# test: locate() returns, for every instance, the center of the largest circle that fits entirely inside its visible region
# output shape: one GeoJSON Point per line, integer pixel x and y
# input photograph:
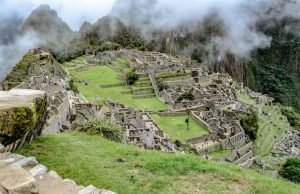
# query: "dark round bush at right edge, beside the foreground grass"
{"type": "Point", "coordinates": [291, 170]}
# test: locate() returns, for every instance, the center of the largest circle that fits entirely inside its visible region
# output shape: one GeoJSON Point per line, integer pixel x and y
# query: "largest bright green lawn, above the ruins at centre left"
{"type": "Point", "coordinates": [97, 75]}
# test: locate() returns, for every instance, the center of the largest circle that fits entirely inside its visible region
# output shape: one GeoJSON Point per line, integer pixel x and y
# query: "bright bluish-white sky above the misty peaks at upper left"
{"type": "Point", "coordinates": [74, 12]}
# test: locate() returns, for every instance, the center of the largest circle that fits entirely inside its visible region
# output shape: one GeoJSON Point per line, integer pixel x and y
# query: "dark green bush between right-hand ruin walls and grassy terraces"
{"type": "Point", "coordinates": [249, 123]}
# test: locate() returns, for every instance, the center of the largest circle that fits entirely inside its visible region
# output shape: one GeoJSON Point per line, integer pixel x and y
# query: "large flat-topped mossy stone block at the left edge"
{"type": "Point", "coordinates": [22, 114]}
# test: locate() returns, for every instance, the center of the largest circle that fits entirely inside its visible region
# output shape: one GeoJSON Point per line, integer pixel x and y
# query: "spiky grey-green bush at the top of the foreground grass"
{"type": "Point", "coordinates": [104, 128]}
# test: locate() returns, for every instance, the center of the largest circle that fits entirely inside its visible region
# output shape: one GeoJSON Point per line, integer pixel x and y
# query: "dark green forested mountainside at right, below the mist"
{"type": "Point", "coordinates": [274, 70]}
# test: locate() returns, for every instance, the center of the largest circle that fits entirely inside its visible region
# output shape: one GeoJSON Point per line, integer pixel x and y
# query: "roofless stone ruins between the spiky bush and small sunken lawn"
{"type": "Point", "coordinates": [139, 128]}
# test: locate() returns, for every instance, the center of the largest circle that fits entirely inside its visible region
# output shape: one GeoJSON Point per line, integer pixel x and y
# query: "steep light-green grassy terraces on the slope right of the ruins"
{"type": "Point", "coordinates": [271, 125]}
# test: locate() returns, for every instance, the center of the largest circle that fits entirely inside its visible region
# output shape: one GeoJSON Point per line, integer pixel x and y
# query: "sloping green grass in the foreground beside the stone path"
{"type": "Point", "coordinates": [93, 160]}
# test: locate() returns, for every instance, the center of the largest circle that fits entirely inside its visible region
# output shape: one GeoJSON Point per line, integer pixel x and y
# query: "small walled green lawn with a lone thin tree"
{"type": "Point", "coordinates": [176, 128]}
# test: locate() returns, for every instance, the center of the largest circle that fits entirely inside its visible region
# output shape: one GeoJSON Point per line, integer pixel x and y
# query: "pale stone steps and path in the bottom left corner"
{"type": "Point", "coordinates": [23, 175]}
